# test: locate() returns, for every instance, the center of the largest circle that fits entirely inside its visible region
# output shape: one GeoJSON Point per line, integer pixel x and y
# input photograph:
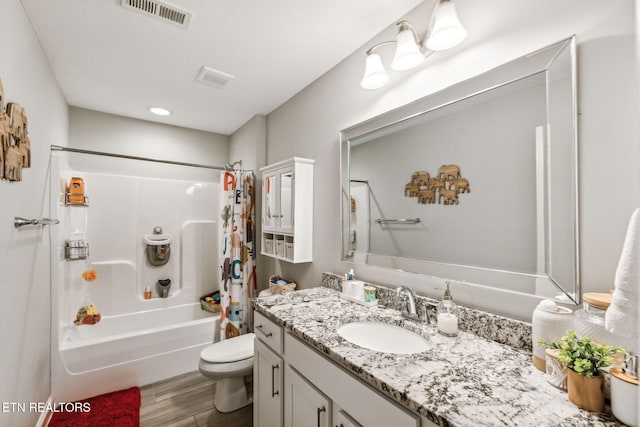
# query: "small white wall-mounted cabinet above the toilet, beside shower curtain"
{"type": "Point", "coordinates": [287, 210]}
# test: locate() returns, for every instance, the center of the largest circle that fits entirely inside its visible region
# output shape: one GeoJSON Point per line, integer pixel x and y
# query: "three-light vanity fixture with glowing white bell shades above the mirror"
{"type": "Point", "coordinates": [445, 31]}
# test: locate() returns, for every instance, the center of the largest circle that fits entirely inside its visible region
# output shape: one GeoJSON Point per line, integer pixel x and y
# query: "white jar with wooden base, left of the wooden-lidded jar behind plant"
{"type": "Point", "coordinates": [550, 322]}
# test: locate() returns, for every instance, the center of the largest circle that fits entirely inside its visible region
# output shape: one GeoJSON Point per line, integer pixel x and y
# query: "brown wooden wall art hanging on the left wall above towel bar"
{"type": "Point", "coordinates": [15, 147]}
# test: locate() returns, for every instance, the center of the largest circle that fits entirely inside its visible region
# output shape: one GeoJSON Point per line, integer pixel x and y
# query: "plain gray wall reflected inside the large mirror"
{"type": "Point", "coordinates": [500, 210]}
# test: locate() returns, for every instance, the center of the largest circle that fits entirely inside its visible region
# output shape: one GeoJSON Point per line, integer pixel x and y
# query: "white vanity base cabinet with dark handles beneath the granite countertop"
{"type": "Point", "coordinates": [294, 385]}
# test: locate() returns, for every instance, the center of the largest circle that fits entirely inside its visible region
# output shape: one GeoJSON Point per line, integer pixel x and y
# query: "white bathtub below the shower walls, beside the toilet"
{"type": "Point", "coordinates": [130, 350]}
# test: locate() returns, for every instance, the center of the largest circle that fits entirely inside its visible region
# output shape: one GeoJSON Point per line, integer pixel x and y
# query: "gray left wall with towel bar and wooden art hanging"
{"type": "Point", "coordinates": [24, 253]}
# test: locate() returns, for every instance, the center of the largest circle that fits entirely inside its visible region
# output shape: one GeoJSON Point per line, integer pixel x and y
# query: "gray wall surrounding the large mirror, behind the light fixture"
{"type": "Point", "coordinates": [308, 125]}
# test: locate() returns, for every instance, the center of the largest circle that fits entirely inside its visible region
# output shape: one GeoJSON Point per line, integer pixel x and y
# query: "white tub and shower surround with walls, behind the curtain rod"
{"type": "Point", "coordinates": [138, 340]}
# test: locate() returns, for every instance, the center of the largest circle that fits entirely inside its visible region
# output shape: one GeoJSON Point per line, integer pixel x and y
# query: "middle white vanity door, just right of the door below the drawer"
{"type": "Point", "coordinates": [304, 405]}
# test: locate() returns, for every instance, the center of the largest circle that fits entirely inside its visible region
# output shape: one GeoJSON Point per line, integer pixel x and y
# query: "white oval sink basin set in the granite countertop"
{"type": "Point", "coordinates": [383, 337]}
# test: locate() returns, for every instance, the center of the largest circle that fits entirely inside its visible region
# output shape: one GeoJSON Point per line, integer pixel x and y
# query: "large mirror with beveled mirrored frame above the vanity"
{"type": "Point", "coordinates": [476, 183]}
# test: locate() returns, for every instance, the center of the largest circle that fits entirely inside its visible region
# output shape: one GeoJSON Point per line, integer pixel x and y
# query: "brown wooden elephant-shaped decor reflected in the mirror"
{"type": "Point", "coordinates": [445, 186]}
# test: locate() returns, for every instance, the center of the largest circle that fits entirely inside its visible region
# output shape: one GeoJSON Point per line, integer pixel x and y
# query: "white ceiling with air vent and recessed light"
{"type": "Point", "coordinates": [115, 60]}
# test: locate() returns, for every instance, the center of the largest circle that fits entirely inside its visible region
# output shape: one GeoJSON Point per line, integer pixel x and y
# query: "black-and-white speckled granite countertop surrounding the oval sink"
{"type": "Point", "coordinates": [461, 381]}
